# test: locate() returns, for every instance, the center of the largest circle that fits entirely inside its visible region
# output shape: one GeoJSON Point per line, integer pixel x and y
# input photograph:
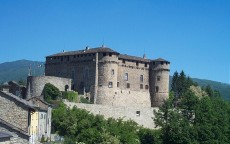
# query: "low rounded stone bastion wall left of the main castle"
{"type": "Point", "coordinates": [35, 84]}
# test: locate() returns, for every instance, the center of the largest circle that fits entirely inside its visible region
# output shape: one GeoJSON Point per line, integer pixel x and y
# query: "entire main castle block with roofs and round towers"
{"type": "Point", "coordinates": [111, 78]}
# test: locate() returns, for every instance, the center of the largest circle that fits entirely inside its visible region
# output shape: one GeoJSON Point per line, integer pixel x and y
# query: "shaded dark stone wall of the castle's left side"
{"type": "Point", "coordinates": [81, 69]}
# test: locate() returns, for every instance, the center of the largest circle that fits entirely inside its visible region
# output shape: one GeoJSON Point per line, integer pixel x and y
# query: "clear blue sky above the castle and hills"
{"type": "Point", "coordinates": [194, 35]}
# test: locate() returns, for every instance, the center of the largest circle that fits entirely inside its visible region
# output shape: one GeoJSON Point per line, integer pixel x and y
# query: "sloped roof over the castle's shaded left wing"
{"type": "Point", "coordinates": [85, 51]}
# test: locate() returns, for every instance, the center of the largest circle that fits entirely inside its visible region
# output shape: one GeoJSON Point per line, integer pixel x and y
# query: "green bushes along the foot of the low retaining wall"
{"type": "Point", "coordinates": [79, 125]}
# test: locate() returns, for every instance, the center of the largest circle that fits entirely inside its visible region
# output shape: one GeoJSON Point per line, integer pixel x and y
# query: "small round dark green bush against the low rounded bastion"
{"type": "Point", "coordinates": [51, 92]}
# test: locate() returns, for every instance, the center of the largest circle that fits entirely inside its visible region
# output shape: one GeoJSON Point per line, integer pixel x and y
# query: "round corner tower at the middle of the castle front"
{"type": "Point", "coordinates": [107, 77]}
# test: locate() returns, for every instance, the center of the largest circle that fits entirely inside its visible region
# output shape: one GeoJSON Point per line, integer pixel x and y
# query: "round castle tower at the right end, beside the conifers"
{"type": "Point", "coordinates": [159, 81]}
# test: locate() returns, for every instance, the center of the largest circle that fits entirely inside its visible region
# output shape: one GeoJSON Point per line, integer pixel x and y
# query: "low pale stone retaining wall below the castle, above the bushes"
{"type": "Point", "coordinates": [143, 116]}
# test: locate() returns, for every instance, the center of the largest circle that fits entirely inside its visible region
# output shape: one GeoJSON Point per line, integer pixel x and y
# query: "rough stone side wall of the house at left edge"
{"type": "Point", "coordinates": [13, 112]}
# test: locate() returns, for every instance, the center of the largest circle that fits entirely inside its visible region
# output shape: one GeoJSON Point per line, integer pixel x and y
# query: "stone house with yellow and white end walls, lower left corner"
{"type": "Point", "coordinates": [24, 120]}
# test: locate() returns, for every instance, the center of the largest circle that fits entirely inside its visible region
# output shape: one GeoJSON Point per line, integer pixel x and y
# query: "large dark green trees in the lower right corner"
{"type": "Point", "coordinates": [205, 120]}
